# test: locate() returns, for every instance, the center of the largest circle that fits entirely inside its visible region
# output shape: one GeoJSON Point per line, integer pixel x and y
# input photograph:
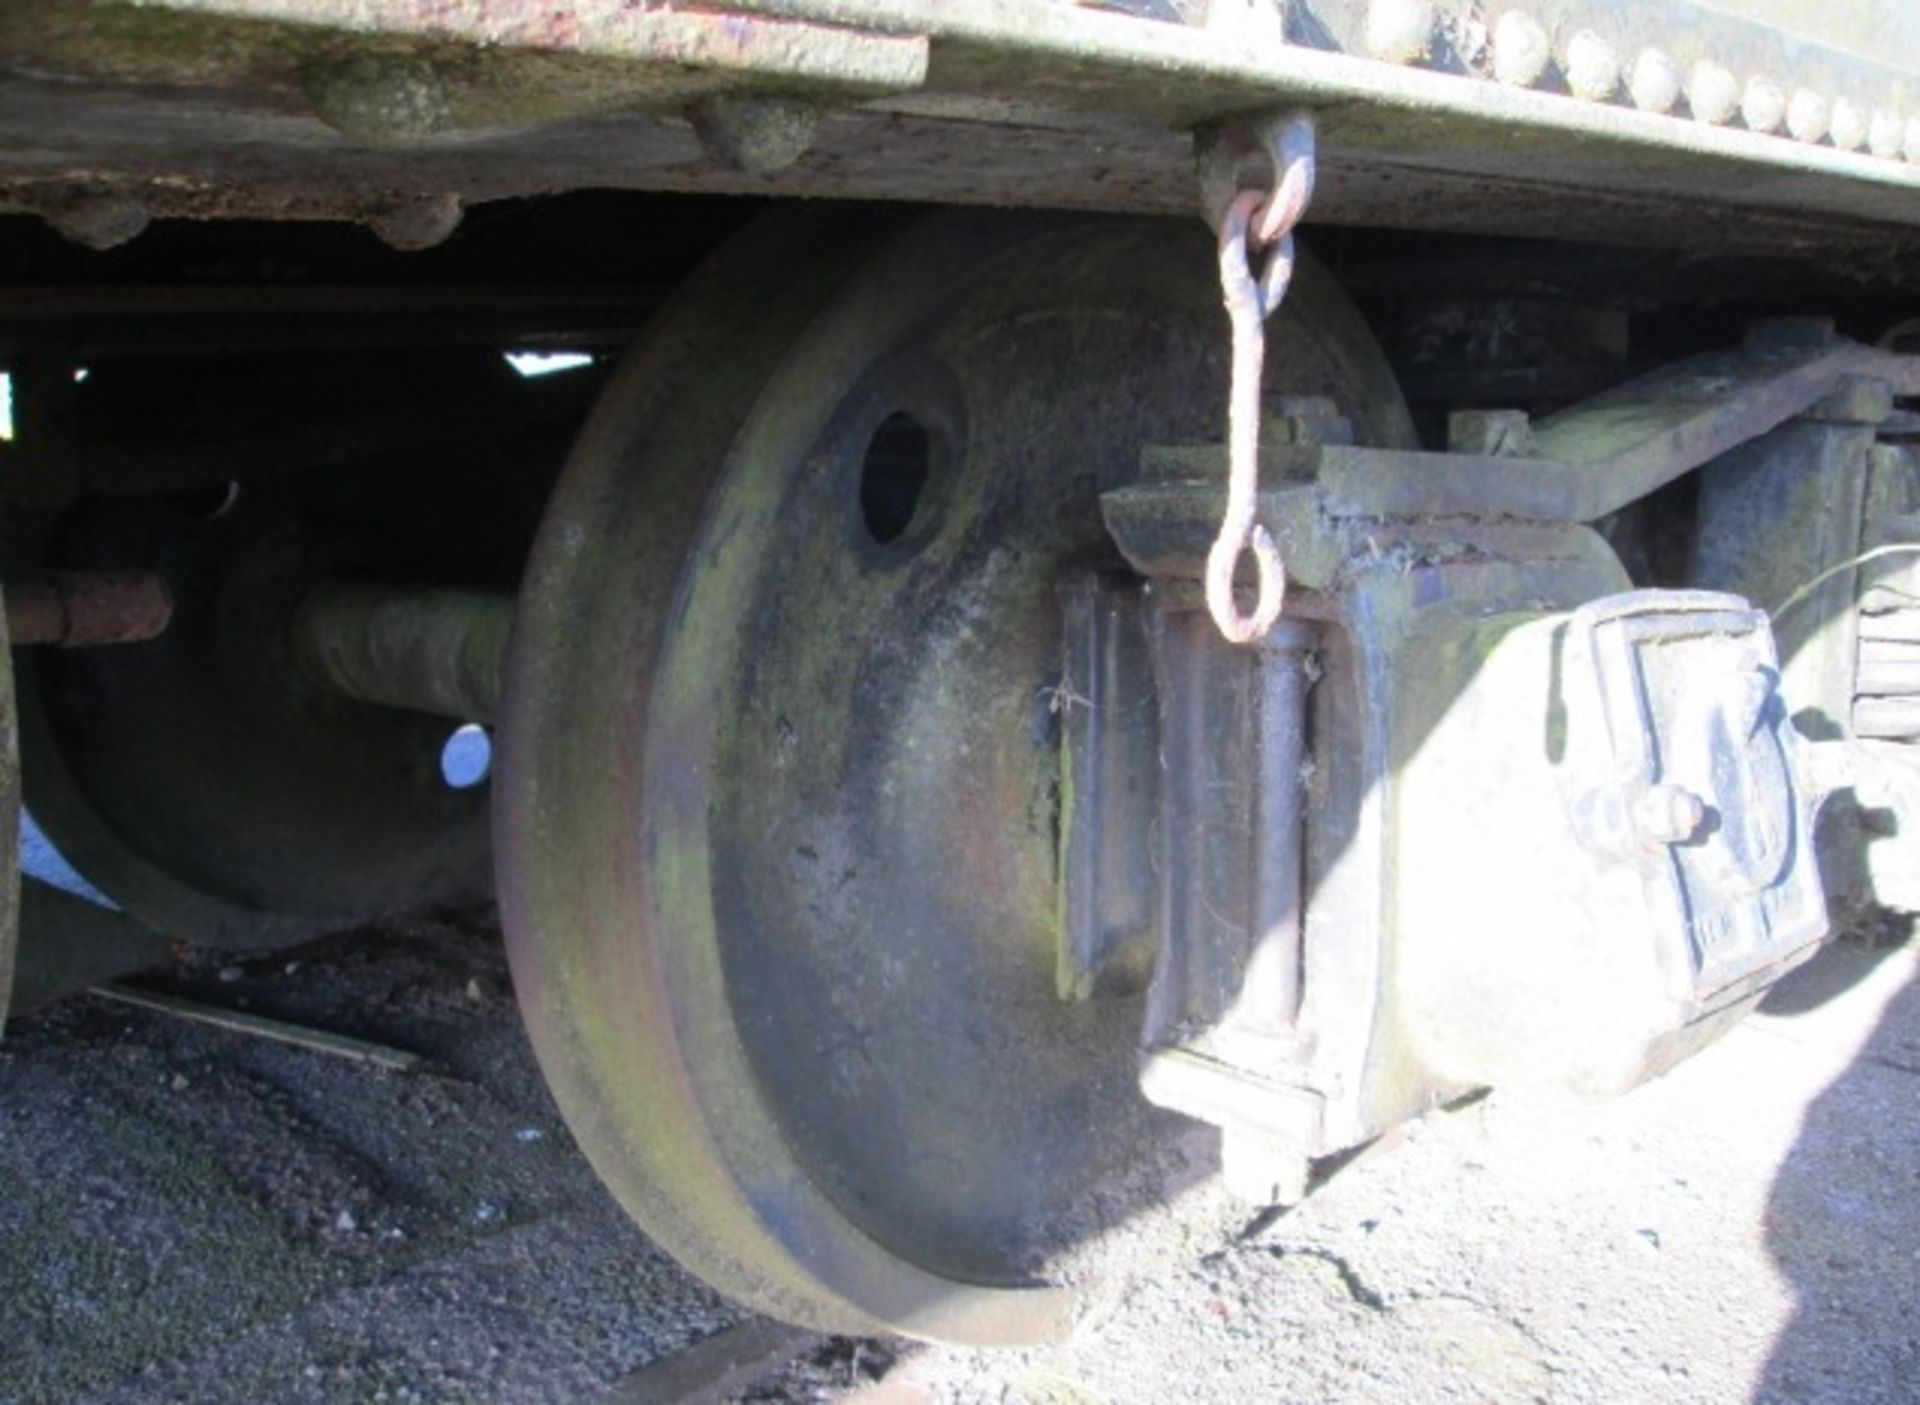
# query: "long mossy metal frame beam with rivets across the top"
{"type": "Point", "coordinates": [272, 107]}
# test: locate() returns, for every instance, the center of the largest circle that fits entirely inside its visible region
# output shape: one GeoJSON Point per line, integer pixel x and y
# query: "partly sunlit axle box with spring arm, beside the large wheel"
{"type": "Point", "coordinates": [1443, 588]}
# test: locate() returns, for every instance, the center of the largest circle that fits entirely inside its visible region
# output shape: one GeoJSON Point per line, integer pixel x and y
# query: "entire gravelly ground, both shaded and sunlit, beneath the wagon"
{"type": "Point", "coordinates": [197, 1216]}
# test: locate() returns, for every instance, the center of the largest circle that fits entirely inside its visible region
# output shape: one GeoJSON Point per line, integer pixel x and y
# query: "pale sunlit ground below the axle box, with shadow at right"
{"type": "Point", "coordinates": [1746, 1229]}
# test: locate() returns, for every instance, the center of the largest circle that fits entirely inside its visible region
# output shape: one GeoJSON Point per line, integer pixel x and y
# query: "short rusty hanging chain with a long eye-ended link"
{"type": "Point", "coordinates": [1255, 222]}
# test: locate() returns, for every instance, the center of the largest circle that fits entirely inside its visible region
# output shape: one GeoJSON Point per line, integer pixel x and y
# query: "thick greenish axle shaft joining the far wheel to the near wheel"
{"type": "Point", "coordinates": [406, 648]}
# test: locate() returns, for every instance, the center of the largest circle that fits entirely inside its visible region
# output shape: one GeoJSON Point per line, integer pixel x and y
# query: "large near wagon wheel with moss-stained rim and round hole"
{"type": "Point", "coordinates": [780, 776]}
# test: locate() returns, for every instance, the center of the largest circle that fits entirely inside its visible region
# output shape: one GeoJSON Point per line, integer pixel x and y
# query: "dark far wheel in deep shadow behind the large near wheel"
{"type": "Point", "coordinates": [201, 778]}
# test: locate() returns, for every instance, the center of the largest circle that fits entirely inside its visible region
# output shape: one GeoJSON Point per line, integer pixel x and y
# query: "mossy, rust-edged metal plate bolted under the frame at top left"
{"type": "Point", "coordinates": [404, 74]}
